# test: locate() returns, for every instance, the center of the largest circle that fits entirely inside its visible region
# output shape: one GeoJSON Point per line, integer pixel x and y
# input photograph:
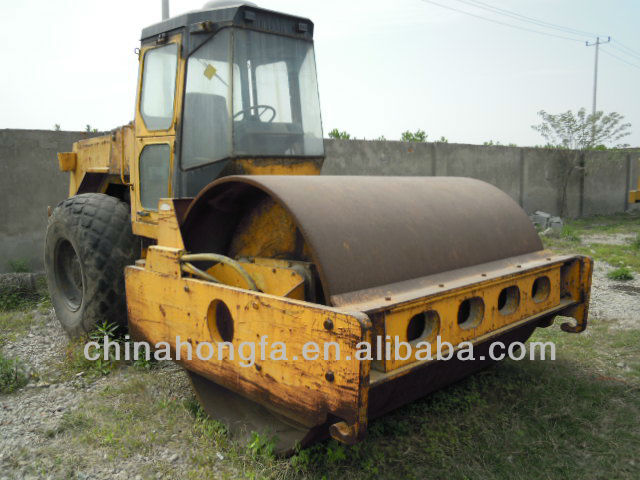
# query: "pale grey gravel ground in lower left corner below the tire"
{"type": "Point", "coordinates": [30, 418]}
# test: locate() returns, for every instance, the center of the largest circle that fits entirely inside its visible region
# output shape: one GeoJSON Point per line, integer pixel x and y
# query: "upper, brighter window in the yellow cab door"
{"type": "Point", "coordinates": [159, 86]}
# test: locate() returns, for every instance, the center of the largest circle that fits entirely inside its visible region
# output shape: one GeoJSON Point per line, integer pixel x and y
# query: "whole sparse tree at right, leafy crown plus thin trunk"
{"type": "Point", "coordinates": [572, 134]}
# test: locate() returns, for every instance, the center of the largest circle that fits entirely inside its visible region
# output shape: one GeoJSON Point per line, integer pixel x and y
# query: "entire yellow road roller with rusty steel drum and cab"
{"type": "Point", "coordinates": [206, 225]}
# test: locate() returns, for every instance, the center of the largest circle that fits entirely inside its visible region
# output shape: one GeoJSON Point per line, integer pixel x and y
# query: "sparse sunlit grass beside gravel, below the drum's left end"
{"type": "Point", "coordinates": [139, 415]}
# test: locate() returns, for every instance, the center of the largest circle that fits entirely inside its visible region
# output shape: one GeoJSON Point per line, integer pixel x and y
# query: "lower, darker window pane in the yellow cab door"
{"type": "Point", "coordinates": [154, 174]}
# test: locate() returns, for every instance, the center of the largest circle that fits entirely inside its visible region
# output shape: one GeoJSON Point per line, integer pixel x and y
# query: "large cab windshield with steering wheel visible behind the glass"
{"type": "Point", "coordinates": [250, 94]}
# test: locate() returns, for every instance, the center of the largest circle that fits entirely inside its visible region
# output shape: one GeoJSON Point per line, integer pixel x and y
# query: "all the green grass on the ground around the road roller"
{"type": "Point", "coordinates": [575, 417]}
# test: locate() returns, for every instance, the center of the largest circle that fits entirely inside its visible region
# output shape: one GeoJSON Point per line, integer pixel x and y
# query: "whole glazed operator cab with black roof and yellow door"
{"type": "Point", "coordinates": [227, 84]}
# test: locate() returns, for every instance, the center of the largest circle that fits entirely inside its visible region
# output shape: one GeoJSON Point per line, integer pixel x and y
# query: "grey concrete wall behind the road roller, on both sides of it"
{"type": "Point", "coordinates": [30, 179]}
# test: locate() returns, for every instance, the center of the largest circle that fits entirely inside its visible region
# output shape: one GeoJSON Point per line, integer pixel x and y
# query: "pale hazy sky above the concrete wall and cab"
{"type": "Point", "coordinates": [383, 66]}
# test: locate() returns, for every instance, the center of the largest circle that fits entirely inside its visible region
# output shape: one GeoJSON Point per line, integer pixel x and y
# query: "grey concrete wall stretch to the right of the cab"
{"type": "Point", "coordinates": [533, 177]}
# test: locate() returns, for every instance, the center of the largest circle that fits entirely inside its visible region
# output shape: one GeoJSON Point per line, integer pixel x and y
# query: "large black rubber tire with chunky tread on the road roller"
{"type": "Point", "coordinates": [89, 242]}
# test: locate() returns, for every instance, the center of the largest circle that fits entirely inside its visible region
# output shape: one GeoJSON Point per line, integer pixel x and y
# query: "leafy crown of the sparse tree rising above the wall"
{"type": "Point", "coordinates": [579, 131]}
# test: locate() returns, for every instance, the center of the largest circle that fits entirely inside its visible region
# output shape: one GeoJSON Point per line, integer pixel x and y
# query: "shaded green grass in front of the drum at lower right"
{"type": "Point", "coordinates": [572, 418]}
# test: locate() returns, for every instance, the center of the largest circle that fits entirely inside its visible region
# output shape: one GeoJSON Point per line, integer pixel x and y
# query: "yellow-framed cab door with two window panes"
{"type": "Point", "coordinates": [157, 108]}
